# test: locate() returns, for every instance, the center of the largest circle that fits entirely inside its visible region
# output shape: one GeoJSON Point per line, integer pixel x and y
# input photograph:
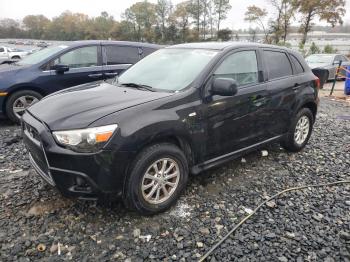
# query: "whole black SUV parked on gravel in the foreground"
{"type": "Point", "coordinates": [182, 109]}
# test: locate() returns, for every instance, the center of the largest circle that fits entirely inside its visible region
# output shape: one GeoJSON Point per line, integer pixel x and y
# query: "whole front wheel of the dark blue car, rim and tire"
{"type": "Point", "coordinates": [18, 102]}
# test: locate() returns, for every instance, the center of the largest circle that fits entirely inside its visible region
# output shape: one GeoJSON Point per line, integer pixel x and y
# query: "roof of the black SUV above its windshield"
{"type": "Point", "coordinates": [222, 45]}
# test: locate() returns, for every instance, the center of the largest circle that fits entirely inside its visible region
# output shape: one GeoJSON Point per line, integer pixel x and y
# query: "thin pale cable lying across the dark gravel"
{"type": "Point", "coordinates": [259, 206]}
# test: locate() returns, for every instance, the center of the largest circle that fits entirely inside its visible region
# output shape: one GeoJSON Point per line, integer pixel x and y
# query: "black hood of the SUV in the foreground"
{"type": "Point", "coordinates": [77, 107]}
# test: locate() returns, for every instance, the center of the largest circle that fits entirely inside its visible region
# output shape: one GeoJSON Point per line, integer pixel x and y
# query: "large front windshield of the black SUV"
{"type": "Point", "coordinates": [168, 69]}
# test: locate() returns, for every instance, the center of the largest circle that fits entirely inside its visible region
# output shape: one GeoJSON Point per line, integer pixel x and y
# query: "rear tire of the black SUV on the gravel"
{"type": "Point", "coordinates": [290, 142]}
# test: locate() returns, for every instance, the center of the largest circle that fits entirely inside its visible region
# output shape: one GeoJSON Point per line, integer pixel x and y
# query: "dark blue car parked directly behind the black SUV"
{"type": "Point", "coordinates": [61, 66]}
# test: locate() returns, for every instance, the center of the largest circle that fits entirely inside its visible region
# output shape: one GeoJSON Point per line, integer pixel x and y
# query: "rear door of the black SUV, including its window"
{"type": "Point", "coordinates": [283, 84]}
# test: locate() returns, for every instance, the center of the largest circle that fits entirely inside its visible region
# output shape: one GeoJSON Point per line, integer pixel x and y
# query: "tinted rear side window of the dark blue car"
{"type": "Point", "coordinates": [121, 55]}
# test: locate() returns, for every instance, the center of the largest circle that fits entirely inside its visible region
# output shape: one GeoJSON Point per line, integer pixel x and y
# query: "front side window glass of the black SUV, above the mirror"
{"type": "Point", "coordinates": [241, 66]}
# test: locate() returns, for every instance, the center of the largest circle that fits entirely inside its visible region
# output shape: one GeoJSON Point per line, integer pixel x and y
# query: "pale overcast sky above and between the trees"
{"type": "Point", "coordinates": [49, 8]}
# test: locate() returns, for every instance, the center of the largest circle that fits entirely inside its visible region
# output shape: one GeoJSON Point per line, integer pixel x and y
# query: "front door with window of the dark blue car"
{"type": "Point", "coordinates": [85, 65]}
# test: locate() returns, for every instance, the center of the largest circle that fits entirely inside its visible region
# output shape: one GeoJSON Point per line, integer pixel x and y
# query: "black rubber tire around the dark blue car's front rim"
{"type": "Point", "coordinates": [11, 114]}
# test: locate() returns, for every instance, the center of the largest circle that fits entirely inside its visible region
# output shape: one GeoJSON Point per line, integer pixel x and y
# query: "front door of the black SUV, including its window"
{"type": "Point", "coordinates": [237, 121]}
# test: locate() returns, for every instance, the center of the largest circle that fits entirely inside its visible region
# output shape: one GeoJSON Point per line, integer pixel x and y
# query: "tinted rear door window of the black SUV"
{"type": "Point", "coordinates": [278, 64]}
